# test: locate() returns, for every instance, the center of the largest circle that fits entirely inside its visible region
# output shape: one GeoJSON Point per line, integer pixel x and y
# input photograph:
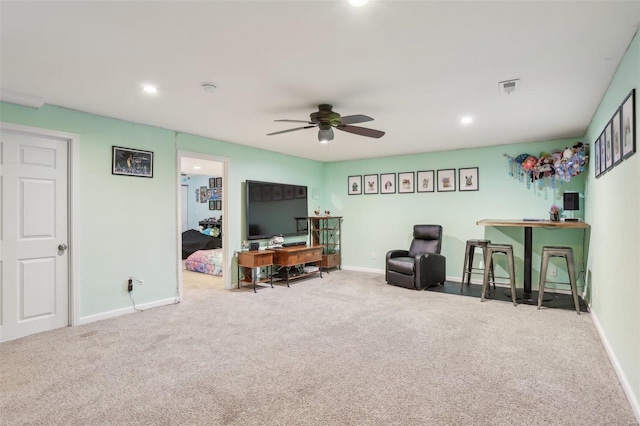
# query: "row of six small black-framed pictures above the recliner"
{"type": "Point", "coordinates": [443, 180]}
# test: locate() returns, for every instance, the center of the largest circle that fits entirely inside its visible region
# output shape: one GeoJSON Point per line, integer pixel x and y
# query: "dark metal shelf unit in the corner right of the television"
{"type": "Point", "coordinates": [325, 231]}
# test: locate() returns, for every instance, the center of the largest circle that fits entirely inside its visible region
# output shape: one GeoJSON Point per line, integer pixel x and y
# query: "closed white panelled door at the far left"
{"type": "Point", "coordinates": [34, 259]}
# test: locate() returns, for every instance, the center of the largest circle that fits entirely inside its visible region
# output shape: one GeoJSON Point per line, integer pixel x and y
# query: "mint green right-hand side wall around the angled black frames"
{"type": "Point", "coordinates": [613, 203]}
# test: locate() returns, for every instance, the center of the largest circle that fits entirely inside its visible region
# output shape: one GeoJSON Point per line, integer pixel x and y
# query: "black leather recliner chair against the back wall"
{"type": "Point", "coordinates": [422, 265]}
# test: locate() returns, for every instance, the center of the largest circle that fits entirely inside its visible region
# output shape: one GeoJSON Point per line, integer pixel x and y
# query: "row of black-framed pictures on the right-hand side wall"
{"type": "Point", "coordinates": [618, 138]}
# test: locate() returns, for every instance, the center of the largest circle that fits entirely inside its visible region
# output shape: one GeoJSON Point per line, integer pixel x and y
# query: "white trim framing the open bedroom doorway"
{"type": "Point", "coordinates": [227, 254]}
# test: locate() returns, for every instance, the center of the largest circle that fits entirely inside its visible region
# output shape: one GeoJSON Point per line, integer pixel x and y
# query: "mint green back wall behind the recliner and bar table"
{"type": "Point", "coordinates": [382, 222]}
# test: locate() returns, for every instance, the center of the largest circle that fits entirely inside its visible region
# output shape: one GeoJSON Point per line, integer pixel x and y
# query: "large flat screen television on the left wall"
{"type": "Point", "coordinates": [275, 209]}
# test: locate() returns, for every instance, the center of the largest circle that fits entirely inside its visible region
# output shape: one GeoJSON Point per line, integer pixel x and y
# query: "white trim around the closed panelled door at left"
{"type": "Point", "coordinates": [73, 211]}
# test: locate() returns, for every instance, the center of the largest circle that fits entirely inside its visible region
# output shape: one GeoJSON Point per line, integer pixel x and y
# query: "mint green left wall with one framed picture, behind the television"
{"type": "Point", "coordinates": [128, 226]}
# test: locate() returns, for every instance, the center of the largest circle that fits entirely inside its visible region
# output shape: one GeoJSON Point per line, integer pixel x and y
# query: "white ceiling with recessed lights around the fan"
{"type": "Point", "coordinates": [416, 67]}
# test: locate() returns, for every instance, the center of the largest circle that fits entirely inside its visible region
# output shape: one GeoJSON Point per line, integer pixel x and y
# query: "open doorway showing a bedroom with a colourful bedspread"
{"type": "Point", "coordinates": [203, 259]}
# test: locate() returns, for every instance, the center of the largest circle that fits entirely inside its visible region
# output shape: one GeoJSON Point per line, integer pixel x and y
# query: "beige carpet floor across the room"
{"type": "Point", "coordinates": [346, 349]}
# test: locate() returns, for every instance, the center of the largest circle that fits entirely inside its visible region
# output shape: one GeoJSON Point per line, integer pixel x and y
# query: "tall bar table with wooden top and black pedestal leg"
{"type": "Point", "coordinates": [528, 226]}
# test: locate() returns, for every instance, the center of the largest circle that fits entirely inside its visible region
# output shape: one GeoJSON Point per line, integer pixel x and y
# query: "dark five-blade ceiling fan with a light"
{"type": "Point", "coordinates": [326, 120]}
